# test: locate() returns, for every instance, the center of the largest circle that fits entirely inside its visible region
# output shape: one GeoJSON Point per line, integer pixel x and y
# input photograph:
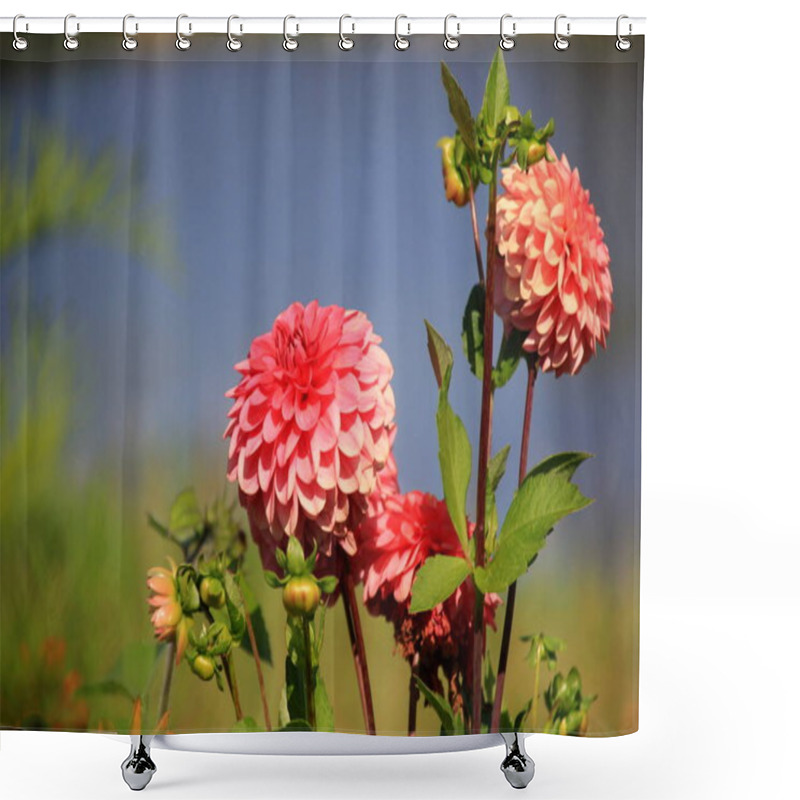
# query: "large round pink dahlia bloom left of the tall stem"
{"type": "Point", "coordinates": [310, 426]}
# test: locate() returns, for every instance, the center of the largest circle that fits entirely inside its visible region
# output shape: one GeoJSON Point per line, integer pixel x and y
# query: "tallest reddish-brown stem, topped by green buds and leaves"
{"type": "Point", "coordinates": [484, 451]}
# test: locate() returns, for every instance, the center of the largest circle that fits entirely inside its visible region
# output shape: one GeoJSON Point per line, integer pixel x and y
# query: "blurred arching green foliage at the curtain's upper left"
{"type": "Point", "coordinates": [51, 185]}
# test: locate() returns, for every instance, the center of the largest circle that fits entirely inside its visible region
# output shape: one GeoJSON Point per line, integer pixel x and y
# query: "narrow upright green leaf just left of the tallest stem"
{"type": "Point", "coordinates": [455, 463]}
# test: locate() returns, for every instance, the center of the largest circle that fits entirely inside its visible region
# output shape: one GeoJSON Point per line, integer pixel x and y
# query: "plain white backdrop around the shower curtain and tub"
{"type": "Point", "coordinates": [720, 601]}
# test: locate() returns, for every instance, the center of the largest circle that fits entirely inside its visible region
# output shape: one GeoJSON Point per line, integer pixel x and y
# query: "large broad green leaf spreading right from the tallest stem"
{"type": "Point", "coordinates": [545, 496]}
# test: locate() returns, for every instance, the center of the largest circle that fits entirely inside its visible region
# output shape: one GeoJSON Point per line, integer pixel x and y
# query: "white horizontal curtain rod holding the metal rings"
{"type": "Point", "coordinates": [296, 26]}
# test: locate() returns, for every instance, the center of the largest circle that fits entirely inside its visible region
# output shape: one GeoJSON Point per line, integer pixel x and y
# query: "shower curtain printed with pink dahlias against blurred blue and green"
{"type": "Point", "coordinates": [320, 386]}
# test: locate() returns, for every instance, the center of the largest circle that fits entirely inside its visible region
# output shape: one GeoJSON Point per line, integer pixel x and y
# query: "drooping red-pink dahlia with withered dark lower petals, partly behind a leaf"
{"type": "Point", "coordinates": [392, 546]}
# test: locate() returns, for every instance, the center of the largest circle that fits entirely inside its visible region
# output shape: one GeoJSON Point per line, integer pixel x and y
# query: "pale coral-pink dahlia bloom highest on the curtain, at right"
{"type": "Point", "coordinates": [553, 280]}
